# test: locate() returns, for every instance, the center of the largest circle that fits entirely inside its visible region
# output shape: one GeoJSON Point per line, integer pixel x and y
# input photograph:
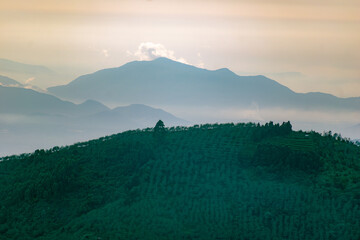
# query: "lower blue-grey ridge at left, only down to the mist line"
{"type": "Point", "coordinates": [14, 100]}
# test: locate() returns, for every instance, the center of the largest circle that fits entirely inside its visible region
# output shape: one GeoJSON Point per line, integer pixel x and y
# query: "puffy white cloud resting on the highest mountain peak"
{"type": "Point", "coordinates": [149, 51]}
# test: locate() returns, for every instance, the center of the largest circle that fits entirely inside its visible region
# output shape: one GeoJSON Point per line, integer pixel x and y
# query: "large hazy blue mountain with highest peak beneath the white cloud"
{"type": "Point", "coordinates": [166, 82]}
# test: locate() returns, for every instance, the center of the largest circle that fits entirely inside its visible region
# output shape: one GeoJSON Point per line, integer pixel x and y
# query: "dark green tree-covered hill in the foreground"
{"type": "Point", "coordinates": [242, 181]}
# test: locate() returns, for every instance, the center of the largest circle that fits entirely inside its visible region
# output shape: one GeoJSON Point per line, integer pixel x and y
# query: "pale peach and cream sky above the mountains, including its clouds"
{"type": "Point", "coordinates": [306, 45]}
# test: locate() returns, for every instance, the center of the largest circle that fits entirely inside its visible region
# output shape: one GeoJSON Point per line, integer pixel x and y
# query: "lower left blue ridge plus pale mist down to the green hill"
{"type": "Point", "coordinates": [30, 120]}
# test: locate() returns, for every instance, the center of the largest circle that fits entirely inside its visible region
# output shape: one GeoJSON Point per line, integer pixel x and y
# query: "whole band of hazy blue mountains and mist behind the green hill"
{"type": "Point", "coordinates": [32, 119]}
